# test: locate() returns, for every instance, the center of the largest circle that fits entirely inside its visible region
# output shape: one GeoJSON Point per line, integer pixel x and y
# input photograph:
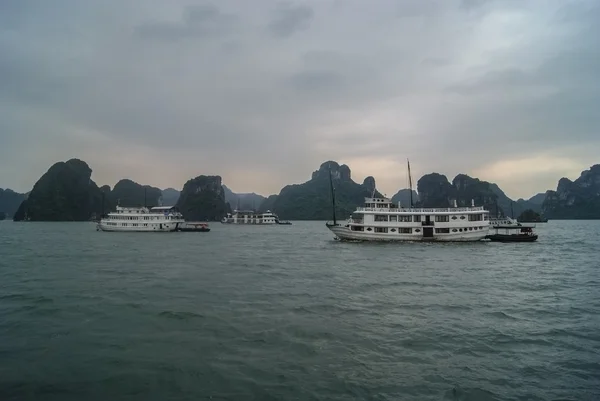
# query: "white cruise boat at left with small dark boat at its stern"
{"type": "Point", "coordinates": [142, 219]}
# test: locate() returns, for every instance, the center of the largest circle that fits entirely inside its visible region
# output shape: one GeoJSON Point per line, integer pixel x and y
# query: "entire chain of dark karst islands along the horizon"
{"type": "Point", "coordinates": [66, 192]}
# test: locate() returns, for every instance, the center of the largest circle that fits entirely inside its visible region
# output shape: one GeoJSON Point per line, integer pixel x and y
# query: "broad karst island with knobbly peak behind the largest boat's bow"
{"type": "Point", "coordinates": [312, 199]}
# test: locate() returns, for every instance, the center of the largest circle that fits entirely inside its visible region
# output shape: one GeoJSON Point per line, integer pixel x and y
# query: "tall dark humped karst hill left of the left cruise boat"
{"type": "Point", "coordinates": [64, 193]}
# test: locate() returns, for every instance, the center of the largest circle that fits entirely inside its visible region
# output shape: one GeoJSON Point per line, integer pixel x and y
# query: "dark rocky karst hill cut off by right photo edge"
{"type": "Point", "coordinates": [579, 199]}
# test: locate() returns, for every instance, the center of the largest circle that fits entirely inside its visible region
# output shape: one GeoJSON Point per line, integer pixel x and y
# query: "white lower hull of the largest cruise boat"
{"type": "Point", "coordinates": [345, 234]}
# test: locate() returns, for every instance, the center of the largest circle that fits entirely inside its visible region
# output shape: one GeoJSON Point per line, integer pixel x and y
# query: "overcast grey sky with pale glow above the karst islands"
{"type": "Point", "coordinates": [262, 92]}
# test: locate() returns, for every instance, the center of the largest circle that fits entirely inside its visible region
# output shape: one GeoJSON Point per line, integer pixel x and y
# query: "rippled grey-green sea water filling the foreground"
{"type": "Point", "coordinates": [286, 313]}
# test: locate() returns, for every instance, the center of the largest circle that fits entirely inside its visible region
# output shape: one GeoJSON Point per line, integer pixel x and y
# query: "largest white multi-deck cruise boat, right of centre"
{"type": "Point", "coordinates": [381, 220]}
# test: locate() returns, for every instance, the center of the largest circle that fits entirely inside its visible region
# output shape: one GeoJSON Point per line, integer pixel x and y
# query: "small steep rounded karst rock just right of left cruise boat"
{"type": "Point", "coordinates": [203, 199]}
